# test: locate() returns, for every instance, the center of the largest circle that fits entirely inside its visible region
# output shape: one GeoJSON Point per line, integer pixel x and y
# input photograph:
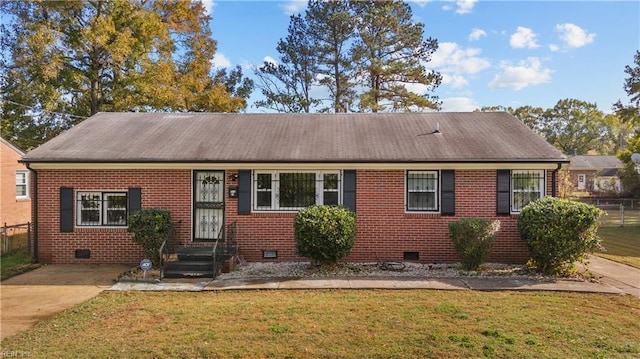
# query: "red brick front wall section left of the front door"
{"type": "Point", "coordinates": [160, 189]}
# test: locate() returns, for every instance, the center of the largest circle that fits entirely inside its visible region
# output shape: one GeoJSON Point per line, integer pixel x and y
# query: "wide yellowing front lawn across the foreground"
{"type": "Point", "coordinates": [339, 324]}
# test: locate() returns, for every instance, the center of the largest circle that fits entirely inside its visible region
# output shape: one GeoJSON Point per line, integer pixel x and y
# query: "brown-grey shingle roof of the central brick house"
{"type": "Point", "coordinates": [388, 137]}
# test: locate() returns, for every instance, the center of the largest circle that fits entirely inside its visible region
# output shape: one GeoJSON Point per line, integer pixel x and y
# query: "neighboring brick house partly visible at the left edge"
{"type": "Point", "coordinates": [15, 201]}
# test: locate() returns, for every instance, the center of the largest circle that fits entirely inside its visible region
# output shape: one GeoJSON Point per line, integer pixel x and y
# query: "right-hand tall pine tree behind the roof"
{"type": "Point", "coordinates": [390, 56]}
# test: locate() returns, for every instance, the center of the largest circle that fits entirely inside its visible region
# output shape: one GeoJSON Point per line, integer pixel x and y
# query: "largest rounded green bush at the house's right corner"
{"type": "Point", "coordinates": [559, 232]}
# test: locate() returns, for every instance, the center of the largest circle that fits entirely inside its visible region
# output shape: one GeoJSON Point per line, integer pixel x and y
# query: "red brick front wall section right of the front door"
{"type": "Point", "coordinates": [384, 229]}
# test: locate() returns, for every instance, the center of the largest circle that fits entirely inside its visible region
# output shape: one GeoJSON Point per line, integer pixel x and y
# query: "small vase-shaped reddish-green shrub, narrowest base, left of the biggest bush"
{"type": "Point", "coordinates": [472, 239]}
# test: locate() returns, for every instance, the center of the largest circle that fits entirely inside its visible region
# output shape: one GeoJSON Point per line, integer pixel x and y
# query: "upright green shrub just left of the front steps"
{"type": "Point", "coordinates": [150, 227]}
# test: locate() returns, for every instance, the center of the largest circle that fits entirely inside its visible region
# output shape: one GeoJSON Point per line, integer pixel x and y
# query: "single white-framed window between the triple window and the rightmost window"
{"type": "Point", "coordinates": [422, 191]}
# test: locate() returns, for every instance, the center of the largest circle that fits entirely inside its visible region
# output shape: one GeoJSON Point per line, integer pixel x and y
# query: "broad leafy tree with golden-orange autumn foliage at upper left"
{"type": "Point", "coordinates": [63, 61]}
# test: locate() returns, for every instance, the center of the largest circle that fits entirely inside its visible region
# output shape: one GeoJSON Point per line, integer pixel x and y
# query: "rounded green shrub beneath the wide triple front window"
{"type": "Point", "coordinates": [324, 234]}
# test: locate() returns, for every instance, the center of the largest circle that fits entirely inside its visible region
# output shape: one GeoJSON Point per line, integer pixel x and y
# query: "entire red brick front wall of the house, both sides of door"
{"type": "Point", "coordinates": [384, 229]}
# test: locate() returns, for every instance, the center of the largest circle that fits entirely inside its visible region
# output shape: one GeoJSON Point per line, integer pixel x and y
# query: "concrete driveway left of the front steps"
{"type": "Point", "coordinates": [31, 297]}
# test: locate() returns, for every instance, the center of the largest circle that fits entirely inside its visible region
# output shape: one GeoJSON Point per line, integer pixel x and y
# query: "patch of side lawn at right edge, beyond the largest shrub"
{"type": "Point", "coordinates": [622, 244]}
